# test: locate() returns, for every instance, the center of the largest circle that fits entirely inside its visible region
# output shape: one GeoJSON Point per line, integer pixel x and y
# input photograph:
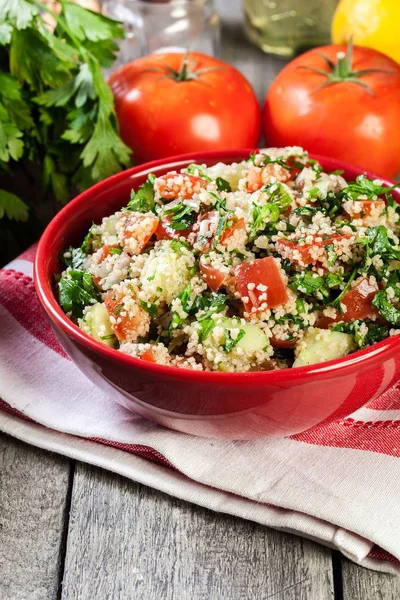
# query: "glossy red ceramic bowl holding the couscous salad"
{"type": "Point", "coordinates": [222, 405]}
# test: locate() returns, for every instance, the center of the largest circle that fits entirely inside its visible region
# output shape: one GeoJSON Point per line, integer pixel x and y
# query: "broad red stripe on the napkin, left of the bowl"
{"type": "Point", "coordinates": [17, 295]}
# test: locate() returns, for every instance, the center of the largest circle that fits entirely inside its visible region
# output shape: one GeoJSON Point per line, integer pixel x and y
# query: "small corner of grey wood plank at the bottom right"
{"type": "Point", "coordinates": [363, 584]}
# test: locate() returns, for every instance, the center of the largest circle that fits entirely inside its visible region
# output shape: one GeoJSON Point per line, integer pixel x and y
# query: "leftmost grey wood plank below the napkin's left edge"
{"type": "Point", "coordinates": [33, 494]}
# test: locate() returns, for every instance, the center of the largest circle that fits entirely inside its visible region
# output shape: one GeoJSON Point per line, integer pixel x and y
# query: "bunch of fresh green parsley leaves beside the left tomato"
{"type": "Point", "coordinates": [57, 113]}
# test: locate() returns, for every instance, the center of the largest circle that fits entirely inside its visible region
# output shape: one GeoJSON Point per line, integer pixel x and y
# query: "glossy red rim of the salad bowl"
{"type": "Point", "coordinates": [367, 357]}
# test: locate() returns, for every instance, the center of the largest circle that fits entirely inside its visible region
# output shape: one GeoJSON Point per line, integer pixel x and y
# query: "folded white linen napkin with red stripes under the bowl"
{"type": "Point", "coordinates": [338, 484]}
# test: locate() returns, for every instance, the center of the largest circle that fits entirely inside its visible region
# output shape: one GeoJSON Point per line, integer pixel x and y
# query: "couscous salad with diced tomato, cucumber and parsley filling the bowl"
{"type": "Point", "coordinates": [265, 264]}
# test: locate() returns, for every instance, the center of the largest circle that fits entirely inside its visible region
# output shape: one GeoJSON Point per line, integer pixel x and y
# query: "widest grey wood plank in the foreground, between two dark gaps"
{"type": "Point", "coordinates": [128, 541]}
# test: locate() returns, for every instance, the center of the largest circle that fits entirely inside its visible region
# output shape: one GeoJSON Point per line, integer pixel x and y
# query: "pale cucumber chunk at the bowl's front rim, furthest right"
{"type": "Point", "coordinates": [322, 345]}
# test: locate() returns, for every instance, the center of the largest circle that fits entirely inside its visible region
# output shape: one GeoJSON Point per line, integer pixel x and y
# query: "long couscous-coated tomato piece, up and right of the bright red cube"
{"type": "Point", "coordinates": [309, 253]}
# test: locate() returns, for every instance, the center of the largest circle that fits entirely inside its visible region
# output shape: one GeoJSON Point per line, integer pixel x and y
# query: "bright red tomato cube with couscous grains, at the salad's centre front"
{"type": "Point", "coordinates": [262, 273]}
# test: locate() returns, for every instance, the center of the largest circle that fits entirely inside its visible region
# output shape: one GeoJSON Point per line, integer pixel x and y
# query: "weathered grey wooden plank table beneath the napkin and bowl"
{"type": "Point", "coordinates": [72, 531]}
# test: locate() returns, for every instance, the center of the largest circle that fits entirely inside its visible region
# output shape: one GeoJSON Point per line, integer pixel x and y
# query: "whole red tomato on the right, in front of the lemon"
{"type": "Point", "coordinates": [300, 110]}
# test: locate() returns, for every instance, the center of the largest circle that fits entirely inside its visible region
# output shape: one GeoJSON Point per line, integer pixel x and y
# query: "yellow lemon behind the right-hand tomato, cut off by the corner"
{"type": "Point", "coordinates": [372, 23]}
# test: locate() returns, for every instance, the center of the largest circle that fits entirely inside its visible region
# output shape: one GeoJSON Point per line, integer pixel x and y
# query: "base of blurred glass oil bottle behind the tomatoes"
{"type": "Point", "coordinates": [288, 27]}
